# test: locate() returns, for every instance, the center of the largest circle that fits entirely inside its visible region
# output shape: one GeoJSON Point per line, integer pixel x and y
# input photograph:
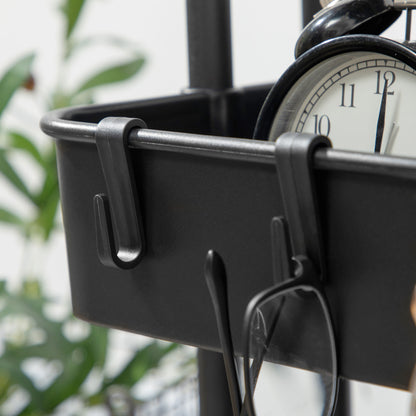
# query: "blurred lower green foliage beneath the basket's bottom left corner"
{"type": "Point", "coordinates": [32, 339]}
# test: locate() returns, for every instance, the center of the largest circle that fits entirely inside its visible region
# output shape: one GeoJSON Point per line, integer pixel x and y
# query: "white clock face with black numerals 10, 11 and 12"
{"type": "Point", "coordinates": [362, 101]}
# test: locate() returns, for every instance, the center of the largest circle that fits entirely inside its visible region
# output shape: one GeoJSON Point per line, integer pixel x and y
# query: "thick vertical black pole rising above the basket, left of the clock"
{"type": "Point", "coordinates": [209, 44]}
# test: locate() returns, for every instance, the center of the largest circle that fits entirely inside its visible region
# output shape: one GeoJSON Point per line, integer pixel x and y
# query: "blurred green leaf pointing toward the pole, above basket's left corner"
{"type": "Point", "coordinates": [113, 74]}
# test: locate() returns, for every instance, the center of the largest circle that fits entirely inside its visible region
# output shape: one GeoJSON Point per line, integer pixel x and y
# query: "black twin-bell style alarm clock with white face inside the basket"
{"type": "Point", "coordinates": [357, 89]}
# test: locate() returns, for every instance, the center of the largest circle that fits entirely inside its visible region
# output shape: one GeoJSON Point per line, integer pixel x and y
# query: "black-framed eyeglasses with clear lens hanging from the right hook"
{"type": "Point", "coordinates": [288, 336]}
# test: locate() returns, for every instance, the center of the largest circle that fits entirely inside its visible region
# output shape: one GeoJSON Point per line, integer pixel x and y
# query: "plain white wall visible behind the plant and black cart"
{"type": "Point", "coordinates": [264, 34]}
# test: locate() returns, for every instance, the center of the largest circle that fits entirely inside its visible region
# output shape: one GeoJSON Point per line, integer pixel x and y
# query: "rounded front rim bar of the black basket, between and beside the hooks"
{"type": "Point", "coordinates": [231, 148]}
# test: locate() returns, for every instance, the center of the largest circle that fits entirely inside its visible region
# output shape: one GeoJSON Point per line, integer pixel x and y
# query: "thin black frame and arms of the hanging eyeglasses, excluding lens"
{"type": "Point", "coordinates": [305, 278]}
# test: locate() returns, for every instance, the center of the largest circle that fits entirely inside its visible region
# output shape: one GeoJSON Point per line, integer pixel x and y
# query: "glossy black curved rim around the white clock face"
{"type": "Point", "coordinates": [321, 52]}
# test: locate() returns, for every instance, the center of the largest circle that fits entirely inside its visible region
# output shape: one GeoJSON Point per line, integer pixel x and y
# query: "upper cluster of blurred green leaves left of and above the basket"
{"type": "Point", "coordinates": [45, 199]}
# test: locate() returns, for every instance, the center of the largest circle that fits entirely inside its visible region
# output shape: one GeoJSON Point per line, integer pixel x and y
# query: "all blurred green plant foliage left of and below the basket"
{"type": "Point", "coordinates": [31, 337]}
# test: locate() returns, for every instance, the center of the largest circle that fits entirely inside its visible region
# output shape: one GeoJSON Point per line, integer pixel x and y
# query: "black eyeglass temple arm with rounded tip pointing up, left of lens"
{"type": "Point", "coordinates": [215, 276]}
